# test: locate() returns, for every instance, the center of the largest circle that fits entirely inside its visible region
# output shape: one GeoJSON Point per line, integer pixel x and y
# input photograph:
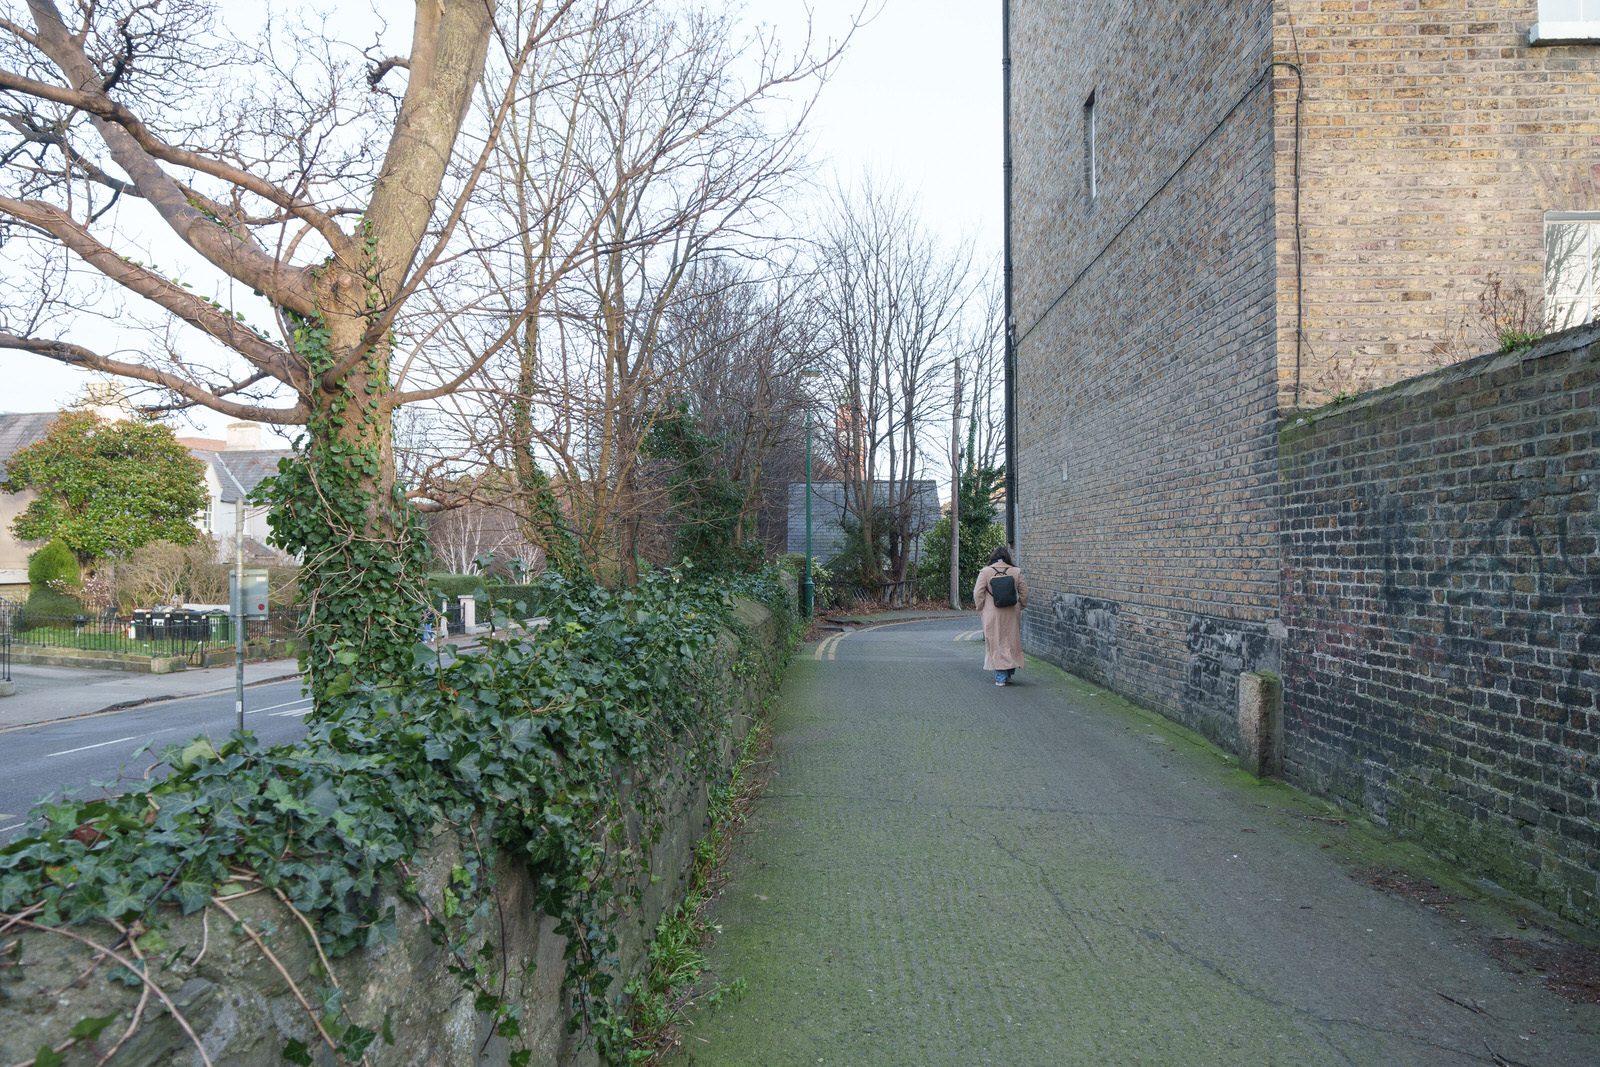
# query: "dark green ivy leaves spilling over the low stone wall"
{"type": "Point", "coordinates": [519, 748]}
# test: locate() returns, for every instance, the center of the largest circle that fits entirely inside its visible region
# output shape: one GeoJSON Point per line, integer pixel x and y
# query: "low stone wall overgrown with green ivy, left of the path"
{"type": "Point", "coordinates": [564, 801]}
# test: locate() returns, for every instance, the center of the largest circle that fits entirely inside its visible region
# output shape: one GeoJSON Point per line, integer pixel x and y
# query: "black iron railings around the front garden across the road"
{"type": "Point", "coordinates": [154, 633]}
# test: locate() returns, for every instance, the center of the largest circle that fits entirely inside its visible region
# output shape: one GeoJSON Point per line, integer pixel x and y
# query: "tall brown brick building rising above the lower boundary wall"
{"type": "Point", "coordinates": [1169, 310]}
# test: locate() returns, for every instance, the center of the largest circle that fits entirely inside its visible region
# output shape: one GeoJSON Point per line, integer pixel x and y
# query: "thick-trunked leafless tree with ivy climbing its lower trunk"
{"type": "Point", "coordinates": [337, 290]}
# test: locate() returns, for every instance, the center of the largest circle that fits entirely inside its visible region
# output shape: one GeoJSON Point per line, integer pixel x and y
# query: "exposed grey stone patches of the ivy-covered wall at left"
{"type": "Point", "coordinates": [244, 1010]}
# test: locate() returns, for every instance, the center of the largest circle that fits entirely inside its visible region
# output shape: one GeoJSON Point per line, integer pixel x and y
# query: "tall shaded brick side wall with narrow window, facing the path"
{"type": "Point", "coordinates": [1146, 330]}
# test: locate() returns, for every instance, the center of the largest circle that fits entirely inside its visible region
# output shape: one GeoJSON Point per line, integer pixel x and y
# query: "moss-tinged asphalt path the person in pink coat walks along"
{"type": "Point", "coordinates": [943, 871]}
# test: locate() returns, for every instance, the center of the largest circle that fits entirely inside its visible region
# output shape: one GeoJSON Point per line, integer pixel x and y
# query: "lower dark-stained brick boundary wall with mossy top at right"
{"type": "Point", "coordinates": [1442, 601]}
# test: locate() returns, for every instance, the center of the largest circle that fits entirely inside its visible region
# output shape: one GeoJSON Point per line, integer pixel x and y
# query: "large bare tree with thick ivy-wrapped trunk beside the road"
{"type": "Point", "coordinates": [298, 186]}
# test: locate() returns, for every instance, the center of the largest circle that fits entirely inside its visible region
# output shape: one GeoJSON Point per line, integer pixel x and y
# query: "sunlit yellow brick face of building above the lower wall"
{"type": "Point", "coordinates": [1434, 140]}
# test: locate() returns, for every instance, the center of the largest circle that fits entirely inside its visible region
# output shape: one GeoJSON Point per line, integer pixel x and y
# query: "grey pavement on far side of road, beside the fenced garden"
{"type": "Point", "coordinates": [46, 695]}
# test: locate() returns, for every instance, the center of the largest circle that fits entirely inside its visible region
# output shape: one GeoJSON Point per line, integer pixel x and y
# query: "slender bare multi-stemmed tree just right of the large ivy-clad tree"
{"type": "Point", "coordinates": [654, 153]}
